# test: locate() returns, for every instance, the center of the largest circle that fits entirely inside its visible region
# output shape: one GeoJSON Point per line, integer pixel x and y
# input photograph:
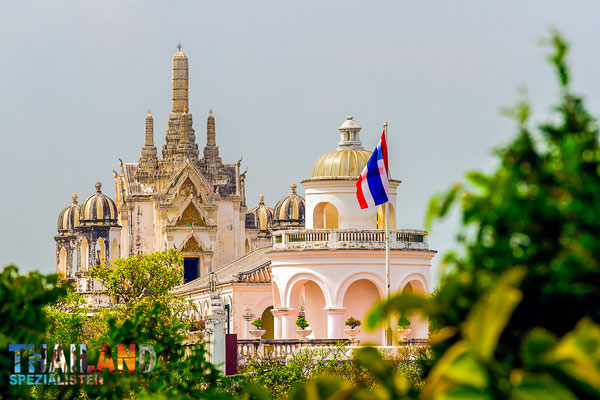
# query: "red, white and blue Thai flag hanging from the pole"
{"type": "Point", "coordinates": [371, 187]}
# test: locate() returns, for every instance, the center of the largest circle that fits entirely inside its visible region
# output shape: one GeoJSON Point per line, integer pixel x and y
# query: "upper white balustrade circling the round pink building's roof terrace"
{"type": "Point", "coordinates": [402, 239]}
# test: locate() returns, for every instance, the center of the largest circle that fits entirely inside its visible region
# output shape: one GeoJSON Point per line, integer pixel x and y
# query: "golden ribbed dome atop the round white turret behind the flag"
{"type": "Point", "coordinates": [341, 163]}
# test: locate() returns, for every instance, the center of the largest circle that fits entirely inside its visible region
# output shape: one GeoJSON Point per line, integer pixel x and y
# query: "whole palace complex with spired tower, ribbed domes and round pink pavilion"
{"type": "Point", "coordinates": [319, 254]}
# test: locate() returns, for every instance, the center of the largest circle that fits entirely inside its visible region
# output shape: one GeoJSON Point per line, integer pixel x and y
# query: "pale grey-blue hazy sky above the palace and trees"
{"type": "Point", "coordinates": [76, 80]}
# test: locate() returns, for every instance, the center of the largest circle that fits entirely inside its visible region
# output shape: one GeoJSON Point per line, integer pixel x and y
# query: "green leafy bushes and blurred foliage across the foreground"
{"type": "Point", "coordinates": [516, 315]}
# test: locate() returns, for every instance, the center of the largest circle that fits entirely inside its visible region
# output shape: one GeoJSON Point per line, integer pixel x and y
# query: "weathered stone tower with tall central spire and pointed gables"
{"type": "Point", "coordinates": [182, 201]}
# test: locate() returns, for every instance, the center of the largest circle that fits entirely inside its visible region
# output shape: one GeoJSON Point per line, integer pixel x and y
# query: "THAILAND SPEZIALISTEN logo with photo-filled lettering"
{"type": "Point", "coordinates": [69, 365]}
